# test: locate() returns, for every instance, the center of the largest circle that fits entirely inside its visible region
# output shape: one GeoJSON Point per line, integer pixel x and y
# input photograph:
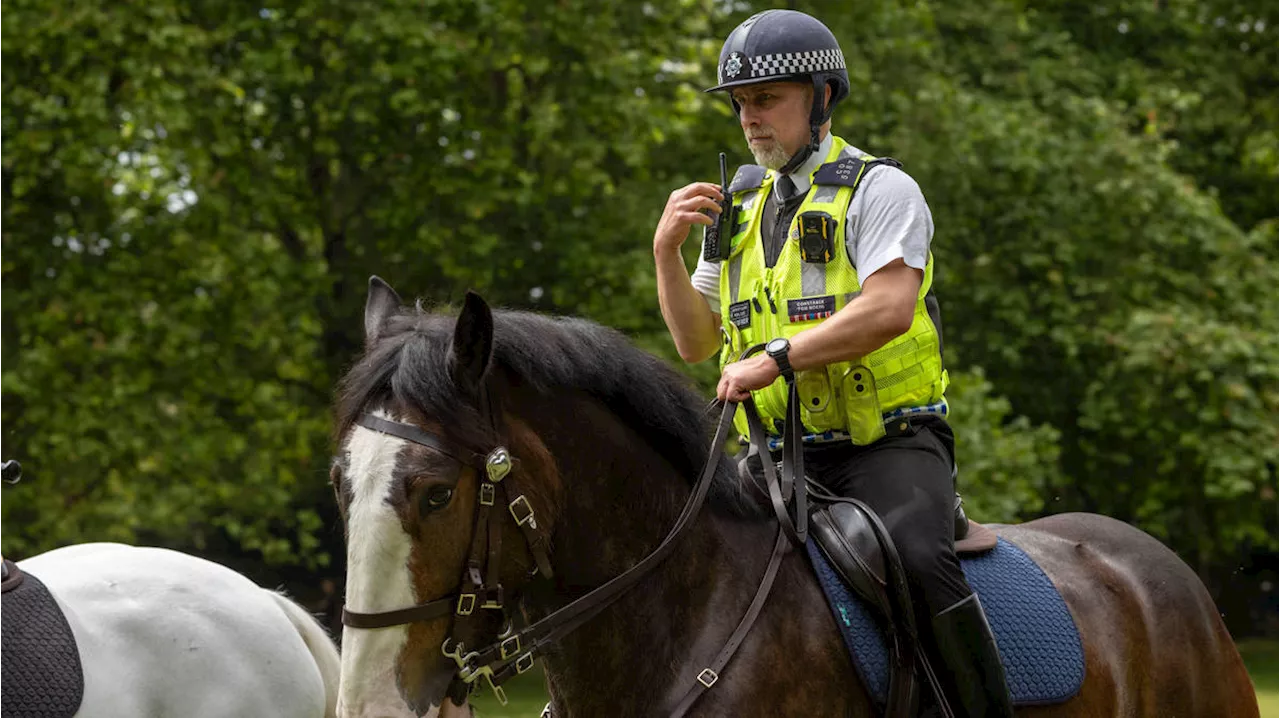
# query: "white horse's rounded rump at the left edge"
{"type": "Point", "coordinates": [162, 634]}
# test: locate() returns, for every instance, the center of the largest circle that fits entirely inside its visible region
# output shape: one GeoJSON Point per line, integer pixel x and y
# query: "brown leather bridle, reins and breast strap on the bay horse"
{"type": "Point", "coordinates": [516, 651]}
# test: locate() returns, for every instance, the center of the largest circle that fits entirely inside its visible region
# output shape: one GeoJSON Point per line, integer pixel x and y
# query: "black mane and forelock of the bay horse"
{"type": "Point", "coordinates": [409, 365]}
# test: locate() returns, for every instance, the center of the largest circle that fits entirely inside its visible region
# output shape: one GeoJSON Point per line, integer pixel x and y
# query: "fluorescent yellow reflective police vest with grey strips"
{"type": "Point", "coordinates": [760, 304]}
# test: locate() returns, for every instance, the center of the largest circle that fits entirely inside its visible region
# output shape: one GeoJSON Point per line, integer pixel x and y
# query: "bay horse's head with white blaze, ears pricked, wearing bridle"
{"type": "Point", "coordinates": [444, 525]}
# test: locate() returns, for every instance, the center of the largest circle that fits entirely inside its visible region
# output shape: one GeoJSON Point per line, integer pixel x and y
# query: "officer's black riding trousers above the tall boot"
{"type": "Point", "coordinates": [907, 481]}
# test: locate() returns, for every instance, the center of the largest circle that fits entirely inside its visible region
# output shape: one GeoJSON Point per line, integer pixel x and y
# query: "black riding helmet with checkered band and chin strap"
{"type": "Point", "coordinates": [779, 45]}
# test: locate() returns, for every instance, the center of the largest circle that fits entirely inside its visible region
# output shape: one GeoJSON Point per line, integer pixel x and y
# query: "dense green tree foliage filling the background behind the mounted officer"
{"type": "Point", "coordinates": [194, 196]}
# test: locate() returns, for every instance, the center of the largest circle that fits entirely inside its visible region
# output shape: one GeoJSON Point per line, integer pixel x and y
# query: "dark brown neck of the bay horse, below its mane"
{"type": "Point", "coordinates": [620, 501]}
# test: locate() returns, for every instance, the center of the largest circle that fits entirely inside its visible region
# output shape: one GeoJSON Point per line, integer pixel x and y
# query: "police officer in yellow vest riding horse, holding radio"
{"type": "Point", "coordinates": [826, 259]}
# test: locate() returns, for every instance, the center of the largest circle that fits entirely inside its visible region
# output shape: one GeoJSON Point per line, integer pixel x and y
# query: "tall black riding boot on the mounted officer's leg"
{"type": "Point", "coordinates": [968, 651]}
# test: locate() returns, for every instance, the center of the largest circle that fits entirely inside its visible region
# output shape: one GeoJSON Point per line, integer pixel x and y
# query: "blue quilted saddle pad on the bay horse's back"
{"type": "Point", "coordinates": [1040, 644]}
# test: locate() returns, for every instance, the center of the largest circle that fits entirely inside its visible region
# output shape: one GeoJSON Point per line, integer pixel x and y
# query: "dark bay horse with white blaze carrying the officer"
{"type": "Point", "coordinates": [605, 443]}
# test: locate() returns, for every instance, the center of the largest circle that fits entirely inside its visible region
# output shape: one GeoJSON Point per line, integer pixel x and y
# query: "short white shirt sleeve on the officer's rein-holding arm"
{"type": "Point", "coordinates": [889, 219]}
